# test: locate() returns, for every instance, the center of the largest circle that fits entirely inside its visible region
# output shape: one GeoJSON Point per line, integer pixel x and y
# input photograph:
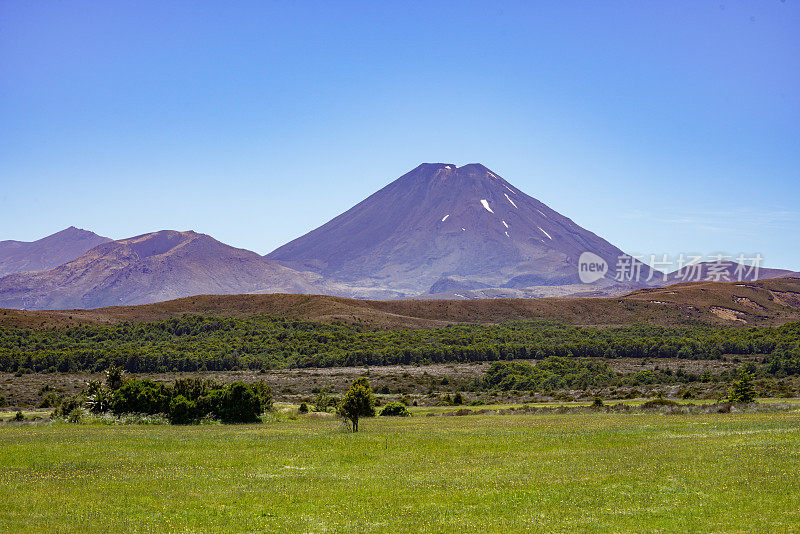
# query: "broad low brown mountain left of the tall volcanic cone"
{"type": "Point", "coordinates": [151, 268]}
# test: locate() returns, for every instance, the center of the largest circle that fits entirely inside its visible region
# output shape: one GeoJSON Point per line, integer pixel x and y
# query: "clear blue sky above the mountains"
{"type": "Point", "coordinates": [664, 127]}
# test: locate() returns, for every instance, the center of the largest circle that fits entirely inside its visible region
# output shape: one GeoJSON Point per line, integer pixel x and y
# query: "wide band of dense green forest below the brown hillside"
{"type": "Point", "coordinates": [198, 343]}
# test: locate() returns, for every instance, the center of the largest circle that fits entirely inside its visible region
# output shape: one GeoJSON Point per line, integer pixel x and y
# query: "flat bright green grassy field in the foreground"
{"type": "Point", "coordinates": [568, 472]}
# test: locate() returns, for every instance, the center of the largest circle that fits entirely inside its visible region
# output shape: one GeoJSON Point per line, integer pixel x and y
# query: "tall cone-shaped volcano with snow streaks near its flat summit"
{"type": "Point", "coordinates": [443, 227]}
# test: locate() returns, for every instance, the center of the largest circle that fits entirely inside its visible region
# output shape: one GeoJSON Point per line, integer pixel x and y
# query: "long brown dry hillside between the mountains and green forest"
{"type": "Point", "coordinates": [761, 303]}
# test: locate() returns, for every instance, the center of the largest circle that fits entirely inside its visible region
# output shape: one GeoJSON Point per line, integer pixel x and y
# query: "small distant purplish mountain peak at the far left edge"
{"type": "Point", "coordinates": [48, 252]}
